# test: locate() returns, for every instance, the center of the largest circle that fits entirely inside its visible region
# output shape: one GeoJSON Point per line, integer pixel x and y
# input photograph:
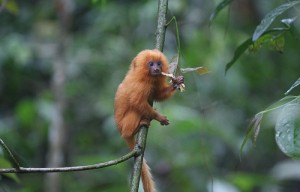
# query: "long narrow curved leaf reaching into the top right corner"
{"type": "Point", "coordinates": [269, 18]}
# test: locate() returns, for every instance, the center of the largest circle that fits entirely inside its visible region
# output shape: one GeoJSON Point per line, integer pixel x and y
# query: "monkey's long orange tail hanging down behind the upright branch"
{"type": "Point", "coordinates": [148, 183]}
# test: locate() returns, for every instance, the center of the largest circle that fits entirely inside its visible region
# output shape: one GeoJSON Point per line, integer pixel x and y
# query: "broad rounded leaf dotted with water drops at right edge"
{"type": "Point", "coordinates": [287, 129]}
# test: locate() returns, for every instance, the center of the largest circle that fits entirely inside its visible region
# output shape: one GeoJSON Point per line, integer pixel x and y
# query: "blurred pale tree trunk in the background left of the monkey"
{"type": "Point", "coordinates": [57, 131]}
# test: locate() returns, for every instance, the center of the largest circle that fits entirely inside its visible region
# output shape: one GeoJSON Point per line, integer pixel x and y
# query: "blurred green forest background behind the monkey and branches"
{"type": "Point", "coordinates": [61, 62]}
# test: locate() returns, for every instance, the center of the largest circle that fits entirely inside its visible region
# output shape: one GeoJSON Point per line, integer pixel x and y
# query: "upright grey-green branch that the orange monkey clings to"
{"type": "Point", "coordinates": [142, 134]}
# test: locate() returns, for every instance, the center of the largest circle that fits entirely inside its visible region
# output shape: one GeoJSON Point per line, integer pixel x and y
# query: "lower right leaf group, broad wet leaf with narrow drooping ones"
{"type": "Point", "coordinates": [286, 124]}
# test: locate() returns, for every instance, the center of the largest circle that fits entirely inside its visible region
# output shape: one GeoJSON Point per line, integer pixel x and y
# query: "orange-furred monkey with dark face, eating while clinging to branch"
{"type": "Point", "coordinates": [143, 83]}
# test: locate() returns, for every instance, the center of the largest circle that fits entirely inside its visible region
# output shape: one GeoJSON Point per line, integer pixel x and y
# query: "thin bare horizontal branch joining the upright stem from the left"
{"type": "Point", "coordinates": [70, 169]}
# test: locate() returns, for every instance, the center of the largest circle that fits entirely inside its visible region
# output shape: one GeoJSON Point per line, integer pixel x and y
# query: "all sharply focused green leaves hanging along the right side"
{"type": "Point", "coordinates": [287, 121]}
